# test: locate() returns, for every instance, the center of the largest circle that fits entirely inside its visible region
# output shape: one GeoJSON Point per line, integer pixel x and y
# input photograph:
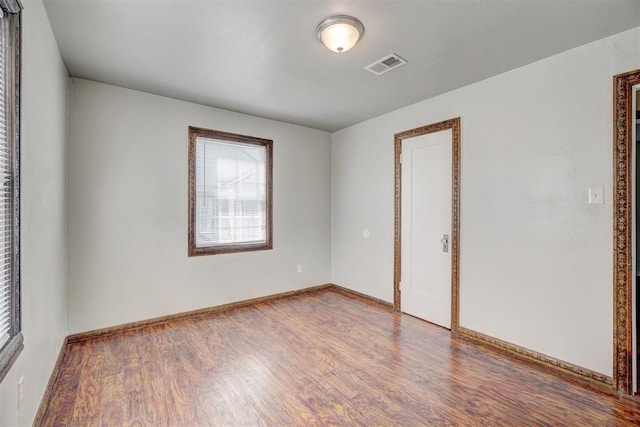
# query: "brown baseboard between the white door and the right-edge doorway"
{"type": "Point", "coordinates": [538, 358]}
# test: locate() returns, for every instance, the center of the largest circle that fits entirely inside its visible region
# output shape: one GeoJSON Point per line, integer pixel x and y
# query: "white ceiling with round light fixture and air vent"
{"type": "Point", "coordinates": [261, 57]}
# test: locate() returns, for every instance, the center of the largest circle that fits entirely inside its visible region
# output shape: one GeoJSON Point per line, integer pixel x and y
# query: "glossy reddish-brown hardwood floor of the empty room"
{"type": "Point", "coordinates": [323, 358]}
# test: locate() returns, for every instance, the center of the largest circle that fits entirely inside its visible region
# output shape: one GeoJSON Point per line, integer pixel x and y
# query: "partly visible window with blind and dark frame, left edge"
{"type": "Point", "coordinates": [10, 330]}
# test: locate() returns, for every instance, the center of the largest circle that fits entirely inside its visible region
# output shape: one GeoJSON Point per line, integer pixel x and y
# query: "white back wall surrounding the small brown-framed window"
{"type": "Point", "coordinates": [128, 210]}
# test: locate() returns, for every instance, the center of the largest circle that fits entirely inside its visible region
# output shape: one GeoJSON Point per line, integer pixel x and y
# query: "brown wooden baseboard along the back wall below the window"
{"type": "Point", "coordinates": [105, 332]}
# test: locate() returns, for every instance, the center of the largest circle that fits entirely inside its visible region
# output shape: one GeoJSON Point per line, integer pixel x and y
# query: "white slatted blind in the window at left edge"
{"type": "Point", "coordinates": [6, 198]}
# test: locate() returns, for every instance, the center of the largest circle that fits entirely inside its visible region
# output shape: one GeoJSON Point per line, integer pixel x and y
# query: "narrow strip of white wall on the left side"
{"type": "Point", "coordinates": [44, 230]}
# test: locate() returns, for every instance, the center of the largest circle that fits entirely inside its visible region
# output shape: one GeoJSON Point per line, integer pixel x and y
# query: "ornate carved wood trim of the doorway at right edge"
{"type": "Point", "coordinates": [622, 239]}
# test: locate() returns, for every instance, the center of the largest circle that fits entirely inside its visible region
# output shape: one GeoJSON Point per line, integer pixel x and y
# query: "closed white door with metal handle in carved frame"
{"type": "Point", "coordinates": [425, 225]}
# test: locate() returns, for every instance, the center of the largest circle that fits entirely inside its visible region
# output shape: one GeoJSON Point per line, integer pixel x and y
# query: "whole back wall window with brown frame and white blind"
{"type": "Point", "coordinates": [229, 192]}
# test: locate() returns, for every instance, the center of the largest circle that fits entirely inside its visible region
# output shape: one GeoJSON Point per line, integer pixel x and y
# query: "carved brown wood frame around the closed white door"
{"type": "Point", "coordinates": [454, 125]}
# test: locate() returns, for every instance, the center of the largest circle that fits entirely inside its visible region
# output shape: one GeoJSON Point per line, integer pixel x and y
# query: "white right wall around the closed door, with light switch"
{"type": "Point", "coordinates": [536, 263]}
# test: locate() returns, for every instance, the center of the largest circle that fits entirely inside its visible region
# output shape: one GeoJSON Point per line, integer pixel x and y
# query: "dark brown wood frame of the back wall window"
{"type": "Point", "coordinates": [194, 250]}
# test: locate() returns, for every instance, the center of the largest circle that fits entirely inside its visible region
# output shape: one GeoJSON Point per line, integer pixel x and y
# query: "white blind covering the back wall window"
{"type": "Point", "coordinates": [231, 186]}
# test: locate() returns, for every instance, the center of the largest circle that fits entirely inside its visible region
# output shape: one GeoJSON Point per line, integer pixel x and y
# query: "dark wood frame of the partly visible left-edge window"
{"type": "Point", "coordinates": [11, 9]}
